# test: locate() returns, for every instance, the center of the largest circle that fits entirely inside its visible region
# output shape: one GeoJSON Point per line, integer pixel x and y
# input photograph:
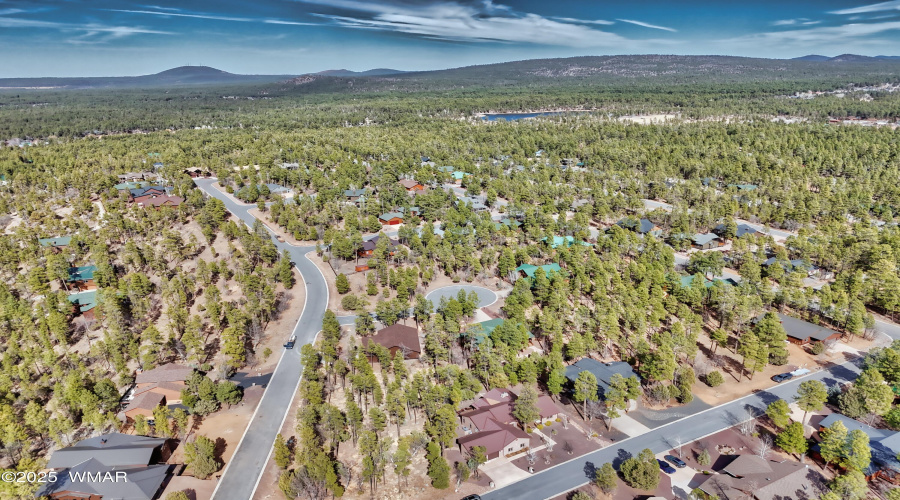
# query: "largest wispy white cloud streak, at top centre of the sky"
{"type": "Point", "coordinates": [454, 21]}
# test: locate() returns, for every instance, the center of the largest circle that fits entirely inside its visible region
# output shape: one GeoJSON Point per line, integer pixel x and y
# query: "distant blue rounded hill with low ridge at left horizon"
{"type": "Point", "coordinates": [180, 76]}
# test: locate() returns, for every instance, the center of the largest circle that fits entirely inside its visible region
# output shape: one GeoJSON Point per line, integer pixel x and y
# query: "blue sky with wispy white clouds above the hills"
{"type": "Point", "coordinates": [125, 37]}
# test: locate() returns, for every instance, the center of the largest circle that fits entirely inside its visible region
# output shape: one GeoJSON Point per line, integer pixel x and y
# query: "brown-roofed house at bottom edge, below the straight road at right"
{"type": "Point", "coordinates": [752, 477]}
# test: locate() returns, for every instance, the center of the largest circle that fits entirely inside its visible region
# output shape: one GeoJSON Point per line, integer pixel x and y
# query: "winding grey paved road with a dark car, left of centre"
{"type": "Point", "coordinates": [242, 474]}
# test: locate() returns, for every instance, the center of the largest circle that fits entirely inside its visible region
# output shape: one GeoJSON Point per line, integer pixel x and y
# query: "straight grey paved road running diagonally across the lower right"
{"type": "Point", "coordinates": [574, 473]}
